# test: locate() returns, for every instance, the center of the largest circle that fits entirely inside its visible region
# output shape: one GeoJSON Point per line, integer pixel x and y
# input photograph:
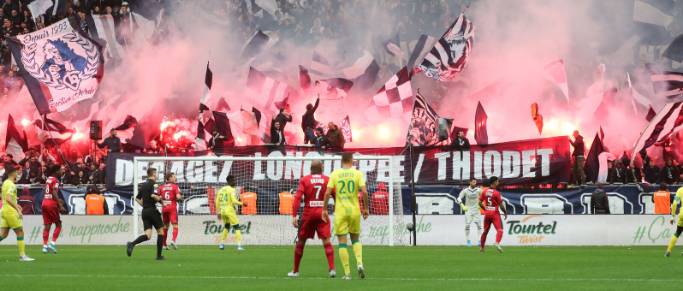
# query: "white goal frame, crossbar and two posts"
{"type": "Point", "coordinates": [390, 159]}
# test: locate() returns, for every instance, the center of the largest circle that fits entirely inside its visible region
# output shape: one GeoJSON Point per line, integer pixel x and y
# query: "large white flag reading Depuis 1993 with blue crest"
{"type": "Point", "coordinates": [60, 64]}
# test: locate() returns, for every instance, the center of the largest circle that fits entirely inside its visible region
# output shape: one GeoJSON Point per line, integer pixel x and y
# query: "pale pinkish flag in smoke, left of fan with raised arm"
{"type": "Point", "coordinates": [270, 94]}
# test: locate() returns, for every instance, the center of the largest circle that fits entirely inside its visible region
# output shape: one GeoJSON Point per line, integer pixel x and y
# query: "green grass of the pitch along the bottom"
{"type": "Point", "coordinates": [388, 268]}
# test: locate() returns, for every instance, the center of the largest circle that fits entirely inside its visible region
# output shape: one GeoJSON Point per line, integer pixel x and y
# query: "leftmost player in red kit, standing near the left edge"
{"type": "Point", "coordinates": [51, 208]}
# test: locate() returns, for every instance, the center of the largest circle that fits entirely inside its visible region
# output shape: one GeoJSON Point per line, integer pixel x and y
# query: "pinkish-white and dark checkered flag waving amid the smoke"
{"type": "Point", "coordinates": [394, 99]}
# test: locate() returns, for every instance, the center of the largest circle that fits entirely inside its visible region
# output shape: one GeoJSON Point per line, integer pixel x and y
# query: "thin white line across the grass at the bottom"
{"type": "Point", "coordinates": [325, 278]}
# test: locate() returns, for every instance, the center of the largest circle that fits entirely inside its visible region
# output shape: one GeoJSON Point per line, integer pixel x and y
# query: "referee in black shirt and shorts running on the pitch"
{"type": "Point", "coordinates": [147, 198]}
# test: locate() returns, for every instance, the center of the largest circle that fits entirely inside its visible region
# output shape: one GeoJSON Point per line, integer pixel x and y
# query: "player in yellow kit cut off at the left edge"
{"type": "Point", "coordinates": [11, 213]}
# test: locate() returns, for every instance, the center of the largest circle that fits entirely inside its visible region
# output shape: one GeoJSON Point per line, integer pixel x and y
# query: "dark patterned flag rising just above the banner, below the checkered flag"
{"type": "Point", "coordinates": [423, 126]}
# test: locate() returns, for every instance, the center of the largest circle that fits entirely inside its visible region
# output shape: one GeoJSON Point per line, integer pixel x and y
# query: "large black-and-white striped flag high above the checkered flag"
{"type": "Point", "coordinates": [450, 54]}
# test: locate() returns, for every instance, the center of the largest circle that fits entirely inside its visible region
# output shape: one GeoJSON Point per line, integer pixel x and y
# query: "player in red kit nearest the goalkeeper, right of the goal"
{"type": "Point", "coordinates": [493, 201]}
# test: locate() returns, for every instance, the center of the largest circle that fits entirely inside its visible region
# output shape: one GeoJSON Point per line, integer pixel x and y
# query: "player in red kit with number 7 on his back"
{"type": "Point", "coordinates": [312, 188]}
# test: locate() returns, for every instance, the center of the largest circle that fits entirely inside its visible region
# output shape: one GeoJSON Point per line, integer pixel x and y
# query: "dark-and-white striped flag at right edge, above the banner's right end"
{"type": "Point", "coordinates": [666, 123]}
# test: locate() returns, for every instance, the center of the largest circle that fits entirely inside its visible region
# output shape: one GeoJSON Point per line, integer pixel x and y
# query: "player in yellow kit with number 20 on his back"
{"type": "Point", "coordinates": [347, 182]}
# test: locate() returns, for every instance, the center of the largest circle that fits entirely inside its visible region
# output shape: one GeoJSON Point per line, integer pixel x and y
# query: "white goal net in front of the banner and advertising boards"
{"type": "Point", "coordinates": [268, 185]}
